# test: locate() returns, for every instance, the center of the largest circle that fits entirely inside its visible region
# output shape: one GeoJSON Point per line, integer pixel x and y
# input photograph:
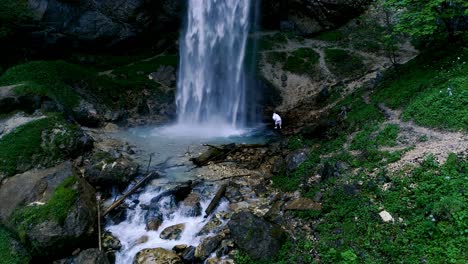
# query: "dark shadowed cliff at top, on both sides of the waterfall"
{"type": "Point", "coordinates": [109, 22]}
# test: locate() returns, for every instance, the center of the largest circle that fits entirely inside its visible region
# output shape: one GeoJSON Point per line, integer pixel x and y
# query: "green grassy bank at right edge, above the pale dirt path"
{"type": "Point", "coordinates": [431, 89]}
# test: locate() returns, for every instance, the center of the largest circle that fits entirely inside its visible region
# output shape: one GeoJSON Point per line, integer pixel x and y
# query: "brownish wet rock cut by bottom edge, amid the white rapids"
{"type": "Point", "coordinates": [156, 256]}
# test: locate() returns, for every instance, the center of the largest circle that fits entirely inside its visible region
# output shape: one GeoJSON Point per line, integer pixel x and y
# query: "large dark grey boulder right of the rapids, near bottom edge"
{"type": "Point", "coordinates": [258, 238]}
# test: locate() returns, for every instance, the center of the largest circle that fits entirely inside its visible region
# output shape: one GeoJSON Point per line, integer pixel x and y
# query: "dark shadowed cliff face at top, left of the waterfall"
{"type": "Point", "coordinates": [103, 22]}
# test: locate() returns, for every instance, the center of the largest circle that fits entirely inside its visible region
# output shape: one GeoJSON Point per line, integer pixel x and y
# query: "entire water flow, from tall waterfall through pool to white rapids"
{"type": "Point", "coordinates": [215, 104]}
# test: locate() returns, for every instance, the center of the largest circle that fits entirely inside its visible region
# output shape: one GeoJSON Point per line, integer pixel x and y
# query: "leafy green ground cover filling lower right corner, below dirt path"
{"type": "Point", "coordinates": [428, 205]}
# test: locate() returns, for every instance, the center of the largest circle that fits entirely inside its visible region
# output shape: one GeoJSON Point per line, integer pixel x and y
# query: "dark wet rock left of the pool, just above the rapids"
{"type": "Point", "coordinates": [106, 171]}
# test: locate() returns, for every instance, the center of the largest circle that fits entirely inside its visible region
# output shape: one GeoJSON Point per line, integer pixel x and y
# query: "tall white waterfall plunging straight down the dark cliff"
{"type": "Point", "coordinates": [211, 87]}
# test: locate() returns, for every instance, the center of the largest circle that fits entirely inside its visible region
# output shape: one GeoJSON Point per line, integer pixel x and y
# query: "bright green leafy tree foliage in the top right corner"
{"type": "Point", "coordinates": [421, 18]}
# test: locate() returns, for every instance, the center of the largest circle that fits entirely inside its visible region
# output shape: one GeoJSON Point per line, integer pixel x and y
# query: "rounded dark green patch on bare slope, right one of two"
{"type": "Point", "coordinates": [344, 63]}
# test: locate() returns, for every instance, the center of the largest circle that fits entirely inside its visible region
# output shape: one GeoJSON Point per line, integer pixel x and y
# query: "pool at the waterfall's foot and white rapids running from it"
{"type": "Point", "coordinates": [171, 152]}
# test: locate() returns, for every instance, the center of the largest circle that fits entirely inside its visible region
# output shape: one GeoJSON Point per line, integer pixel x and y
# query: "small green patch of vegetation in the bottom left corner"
{"type": "Point", "coordinates": [9, 252]}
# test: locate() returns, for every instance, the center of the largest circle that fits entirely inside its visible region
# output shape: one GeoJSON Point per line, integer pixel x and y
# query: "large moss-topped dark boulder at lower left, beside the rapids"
{"type": "Point", "coordinates": [51, 236]}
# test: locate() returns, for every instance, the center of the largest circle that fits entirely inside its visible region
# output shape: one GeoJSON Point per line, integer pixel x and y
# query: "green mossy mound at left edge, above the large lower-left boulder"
{"type": "Point", "coordinates": [24, 147]}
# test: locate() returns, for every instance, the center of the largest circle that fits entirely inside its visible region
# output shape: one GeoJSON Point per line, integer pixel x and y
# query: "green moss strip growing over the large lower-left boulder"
{"type": "Point", "coordinates": [56, 209]}
